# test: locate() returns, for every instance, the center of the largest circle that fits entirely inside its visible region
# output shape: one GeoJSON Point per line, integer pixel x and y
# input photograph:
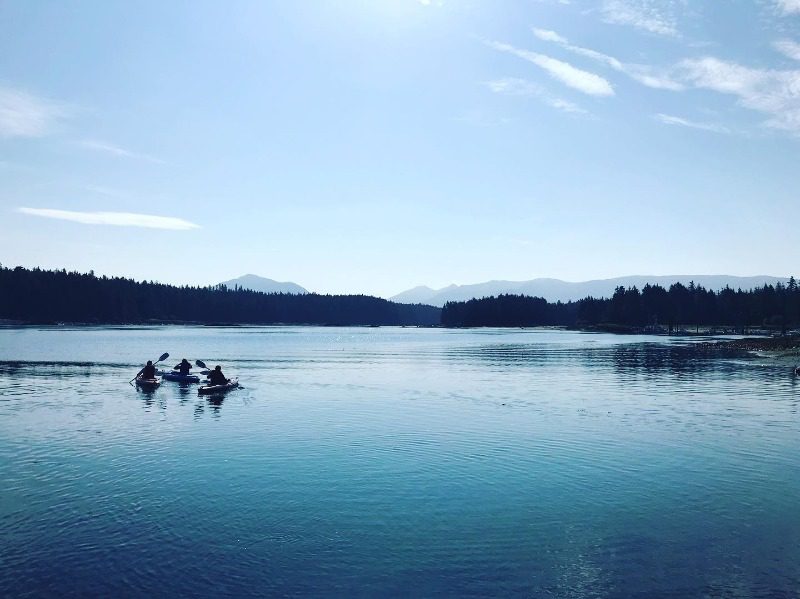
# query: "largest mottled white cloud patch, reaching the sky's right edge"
{"type": "Point", "coordinates": [775, 93]}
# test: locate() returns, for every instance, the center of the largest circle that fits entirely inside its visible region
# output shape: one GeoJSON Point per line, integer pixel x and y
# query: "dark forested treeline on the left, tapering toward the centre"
{"type": "Point", "coordinates": [44, 296]}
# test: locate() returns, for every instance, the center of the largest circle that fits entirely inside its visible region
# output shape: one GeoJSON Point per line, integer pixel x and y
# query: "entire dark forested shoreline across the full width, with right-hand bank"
{"type": "Point", "coordinates": [57, 297]}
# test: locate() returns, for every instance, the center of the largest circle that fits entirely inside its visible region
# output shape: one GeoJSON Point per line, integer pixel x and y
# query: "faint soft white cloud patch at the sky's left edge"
{"type": "Point", "coordinates": [25, 115]}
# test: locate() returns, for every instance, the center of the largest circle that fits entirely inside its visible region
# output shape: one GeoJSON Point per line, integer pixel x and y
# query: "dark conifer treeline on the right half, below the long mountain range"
{"type": "Point", "coordinates": [678, 307]}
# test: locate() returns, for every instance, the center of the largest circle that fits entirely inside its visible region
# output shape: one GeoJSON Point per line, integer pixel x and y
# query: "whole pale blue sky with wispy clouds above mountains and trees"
{"type": "Point", "coordinates": [370, 146]}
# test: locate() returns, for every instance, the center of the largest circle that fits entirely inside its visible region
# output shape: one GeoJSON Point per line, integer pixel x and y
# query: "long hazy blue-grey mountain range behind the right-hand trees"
{"type": "Point", "coordinates": [557, 290]}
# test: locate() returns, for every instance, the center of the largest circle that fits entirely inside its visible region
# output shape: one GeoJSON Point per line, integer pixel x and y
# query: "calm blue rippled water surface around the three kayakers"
{"type": "Point", "coordinates": [396, 462]}
